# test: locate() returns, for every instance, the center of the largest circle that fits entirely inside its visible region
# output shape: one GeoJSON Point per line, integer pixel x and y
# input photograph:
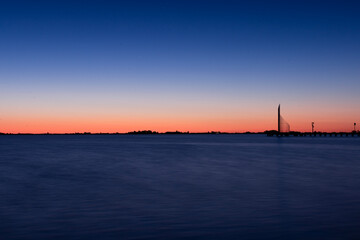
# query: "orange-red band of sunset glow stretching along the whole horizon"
{"type": "Point", "coordinates": [162, 124]}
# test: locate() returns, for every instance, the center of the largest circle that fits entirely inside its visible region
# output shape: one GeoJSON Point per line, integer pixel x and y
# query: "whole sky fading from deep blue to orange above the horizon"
{"type": "Point", "coordinates": [119, 66]}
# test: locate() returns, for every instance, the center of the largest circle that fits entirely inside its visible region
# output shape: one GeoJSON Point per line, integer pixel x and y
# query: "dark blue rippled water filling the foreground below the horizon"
{"type": "Point", "coordinates": [179, 187]}
